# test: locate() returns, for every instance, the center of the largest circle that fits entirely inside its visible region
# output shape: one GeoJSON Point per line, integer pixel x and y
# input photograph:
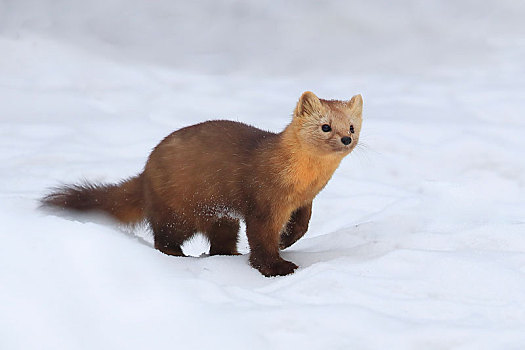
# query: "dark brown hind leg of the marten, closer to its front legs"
{"type": "Point", "coordinates": [223, 235]}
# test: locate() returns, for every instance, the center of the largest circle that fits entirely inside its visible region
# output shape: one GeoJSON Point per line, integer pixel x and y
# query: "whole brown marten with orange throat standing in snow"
{"type": "Point", "coordinates": [205, 177]}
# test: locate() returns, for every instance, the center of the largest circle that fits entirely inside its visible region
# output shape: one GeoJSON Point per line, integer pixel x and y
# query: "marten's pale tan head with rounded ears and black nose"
{"type": "Point", "coordinates": [327, 126]}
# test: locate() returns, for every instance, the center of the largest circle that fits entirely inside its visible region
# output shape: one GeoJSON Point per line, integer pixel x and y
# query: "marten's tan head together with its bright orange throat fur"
{"type": "Point", "coordinates": [313, 153]}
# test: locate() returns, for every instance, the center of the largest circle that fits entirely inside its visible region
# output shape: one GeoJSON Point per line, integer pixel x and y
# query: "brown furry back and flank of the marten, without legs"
{"type": "Point", "coordinates": [208, 169]}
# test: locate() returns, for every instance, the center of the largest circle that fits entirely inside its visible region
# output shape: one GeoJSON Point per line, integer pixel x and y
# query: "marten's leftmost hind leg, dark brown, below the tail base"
{"type": "Point", "coordinates": [169, 234]}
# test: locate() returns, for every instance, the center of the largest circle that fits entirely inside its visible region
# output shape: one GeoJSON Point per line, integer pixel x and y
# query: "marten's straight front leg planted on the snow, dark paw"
{"type": "Point", "coordinates": [263, 236]}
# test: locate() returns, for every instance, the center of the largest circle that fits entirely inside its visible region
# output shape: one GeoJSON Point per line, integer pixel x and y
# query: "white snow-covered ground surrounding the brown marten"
{"type": "Point", "coordinates": [417, 242]}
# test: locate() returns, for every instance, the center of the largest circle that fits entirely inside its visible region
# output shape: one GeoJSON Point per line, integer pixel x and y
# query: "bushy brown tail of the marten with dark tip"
{"type": "Point", "coordinates": [123, 201]}
